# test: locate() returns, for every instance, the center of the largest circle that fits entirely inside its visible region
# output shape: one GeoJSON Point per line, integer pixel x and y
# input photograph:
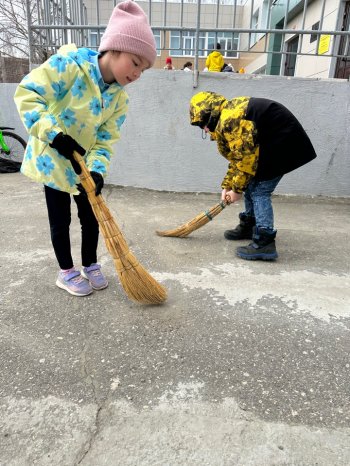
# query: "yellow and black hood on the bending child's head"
{"type": "Point", "coordinates": [205, 109]}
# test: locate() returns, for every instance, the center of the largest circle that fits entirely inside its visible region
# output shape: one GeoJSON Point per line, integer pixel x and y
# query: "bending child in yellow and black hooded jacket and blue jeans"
{"type": "Point", "coordinates": [262, 140]}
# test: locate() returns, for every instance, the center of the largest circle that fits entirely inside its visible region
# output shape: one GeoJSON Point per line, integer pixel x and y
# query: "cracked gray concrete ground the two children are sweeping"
{"type": "Point", "coordinates": [247, 363]}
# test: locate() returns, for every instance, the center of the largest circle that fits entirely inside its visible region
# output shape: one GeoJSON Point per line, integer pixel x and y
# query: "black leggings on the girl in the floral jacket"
{"type": "Point", "coordinates": [59, 210]}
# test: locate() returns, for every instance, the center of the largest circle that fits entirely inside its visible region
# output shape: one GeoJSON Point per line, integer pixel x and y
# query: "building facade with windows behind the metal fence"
{"type": "Point", "coordinates": [244, 43]}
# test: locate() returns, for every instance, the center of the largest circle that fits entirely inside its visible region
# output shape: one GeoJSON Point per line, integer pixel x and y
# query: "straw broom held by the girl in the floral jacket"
{"type": "Point", "coordinates": [138, 284]}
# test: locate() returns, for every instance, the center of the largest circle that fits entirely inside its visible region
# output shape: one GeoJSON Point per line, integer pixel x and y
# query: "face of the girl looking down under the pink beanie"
{"type": "Point", "coordinates": [122, 67]}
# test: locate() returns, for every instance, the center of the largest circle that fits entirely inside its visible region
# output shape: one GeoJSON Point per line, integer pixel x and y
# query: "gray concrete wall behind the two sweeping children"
{"type": "Point", "coordinates": [159, 149]}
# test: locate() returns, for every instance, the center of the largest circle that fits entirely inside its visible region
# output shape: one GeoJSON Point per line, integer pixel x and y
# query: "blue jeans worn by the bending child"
{"type": "Point", "coordinates": [257, 201]}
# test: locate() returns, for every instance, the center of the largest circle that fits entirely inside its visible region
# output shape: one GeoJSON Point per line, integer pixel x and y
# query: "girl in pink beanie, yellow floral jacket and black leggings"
{"type": "Point", "coordinates": [76, 101]}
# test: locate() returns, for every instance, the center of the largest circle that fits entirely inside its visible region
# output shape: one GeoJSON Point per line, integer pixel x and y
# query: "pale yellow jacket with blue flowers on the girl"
{"type": "Point", "coordinates": [63, 95]}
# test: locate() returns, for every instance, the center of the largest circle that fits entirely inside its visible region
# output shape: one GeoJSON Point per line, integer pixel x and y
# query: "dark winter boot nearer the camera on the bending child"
{"type": "Point", "coordinates": [263, 246]}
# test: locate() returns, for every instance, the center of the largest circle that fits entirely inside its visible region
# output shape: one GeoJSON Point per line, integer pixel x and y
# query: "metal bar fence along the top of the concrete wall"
{"type": "Point", "coordinates": [280, 31]}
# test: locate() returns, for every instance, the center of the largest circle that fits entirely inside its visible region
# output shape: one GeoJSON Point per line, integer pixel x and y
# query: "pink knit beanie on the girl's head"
{"type": "Point", "coordinates": [128, 30]}
